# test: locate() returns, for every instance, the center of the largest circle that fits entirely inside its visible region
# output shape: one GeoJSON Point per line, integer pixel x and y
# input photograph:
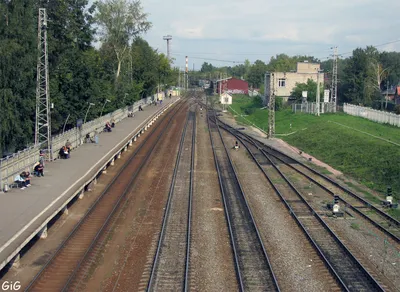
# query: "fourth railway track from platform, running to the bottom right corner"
{"type": "Point", "coordinates": [348, 271]}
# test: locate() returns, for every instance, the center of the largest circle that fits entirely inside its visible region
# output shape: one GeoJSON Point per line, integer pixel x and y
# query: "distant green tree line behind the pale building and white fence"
{"type": "Point", "coordinates": [361, 76]}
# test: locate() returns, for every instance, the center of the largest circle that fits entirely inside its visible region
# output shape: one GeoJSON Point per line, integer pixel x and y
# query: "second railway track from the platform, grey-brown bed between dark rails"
{"type": "Point", "coordinates": [170, 270]}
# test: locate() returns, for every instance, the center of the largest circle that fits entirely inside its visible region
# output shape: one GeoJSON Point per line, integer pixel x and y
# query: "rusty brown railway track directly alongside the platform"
{"type": "Point", "coordinates": [59, 272]}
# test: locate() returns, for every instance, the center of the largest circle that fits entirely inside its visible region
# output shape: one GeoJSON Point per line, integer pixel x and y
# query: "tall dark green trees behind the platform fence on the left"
{"type": "Point", "coordinates": [95, 54]}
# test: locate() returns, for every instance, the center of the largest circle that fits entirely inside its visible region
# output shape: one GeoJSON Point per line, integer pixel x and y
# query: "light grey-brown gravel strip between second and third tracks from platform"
{"type": "Point", "coordinates": [211, 260]}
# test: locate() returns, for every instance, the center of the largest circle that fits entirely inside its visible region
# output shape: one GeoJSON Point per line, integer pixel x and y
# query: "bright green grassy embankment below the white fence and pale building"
{"type": "Point", "coordinates": [371, 161]}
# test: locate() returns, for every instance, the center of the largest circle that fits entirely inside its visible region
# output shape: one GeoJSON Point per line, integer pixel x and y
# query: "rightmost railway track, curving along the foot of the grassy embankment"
{"type": "Point", "coordinates": [384, 222]}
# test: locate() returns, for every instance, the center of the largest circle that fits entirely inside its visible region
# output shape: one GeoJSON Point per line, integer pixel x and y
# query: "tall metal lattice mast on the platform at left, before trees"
{"type": "Point", "coordinates": [43, 118]}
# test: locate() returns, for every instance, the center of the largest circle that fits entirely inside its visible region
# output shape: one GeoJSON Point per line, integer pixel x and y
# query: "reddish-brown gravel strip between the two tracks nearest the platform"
{"type": "Point", "coordinates": [128, 254]}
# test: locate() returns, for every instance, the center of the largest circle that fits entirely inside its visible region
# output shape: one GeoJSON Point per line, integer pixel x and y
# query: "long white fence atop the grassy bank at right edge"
{"type": "Point", "coordinates": [372, 114]}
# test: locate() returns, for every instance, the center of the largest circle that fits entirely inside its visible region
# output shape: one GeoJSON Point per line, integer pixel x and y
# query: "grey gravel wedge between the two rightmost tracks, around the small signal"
{"type": "Point", "coordinates": [366, 242]}
